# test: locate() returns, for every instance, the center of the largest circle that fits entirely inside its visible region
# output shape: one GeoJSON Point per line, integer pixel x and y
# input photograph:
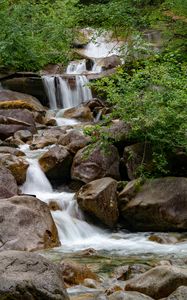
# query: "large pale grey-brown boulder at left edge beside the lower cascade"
{"type": "Point", "coordinates": [26, 224]}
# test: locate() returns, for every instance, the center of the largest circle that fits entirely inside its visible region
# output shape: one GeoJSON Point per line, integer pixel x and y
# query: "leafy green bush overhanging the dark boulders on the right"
{"type": "Point", "coordinates": [153, 101]}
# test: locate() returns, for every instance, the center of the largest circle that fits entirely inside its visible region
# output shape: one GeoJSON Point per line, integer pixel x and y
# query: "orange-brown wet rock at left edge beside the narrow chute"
{"type": "Point", "coordinates": [17, 165]}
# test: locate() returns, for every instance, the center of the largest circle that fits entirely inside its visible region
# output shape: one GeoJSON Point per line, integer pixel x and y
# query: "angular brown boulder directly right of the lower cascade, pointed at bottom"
{"type": "Point", "coordinates": [99, 199]}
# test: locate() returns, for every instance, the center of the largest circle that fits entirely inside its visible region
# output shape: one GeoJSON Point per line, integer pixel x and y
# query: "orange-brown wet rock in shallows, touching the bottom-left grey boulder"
{"type": "Point", "coordinates": [74, 273]}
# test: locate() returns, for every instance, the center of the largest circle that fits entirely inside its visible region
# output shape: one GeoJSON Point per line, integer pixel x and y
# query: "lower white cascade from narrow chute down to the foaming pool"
{"type": "Point", "coordinates": [75, 233]}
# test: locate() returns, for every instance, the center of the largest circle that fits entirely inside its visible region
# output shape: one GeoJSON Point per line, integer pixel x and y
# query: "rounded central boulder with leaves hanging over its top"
{"type": "Point", "coordinates": [90, 164]}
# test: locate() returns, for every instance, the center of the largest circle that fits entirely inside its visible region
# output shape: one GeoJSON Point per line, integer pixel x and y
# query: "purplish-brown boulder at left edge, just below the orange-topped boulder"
{"type": "Point", "coordinates": [12, 120]}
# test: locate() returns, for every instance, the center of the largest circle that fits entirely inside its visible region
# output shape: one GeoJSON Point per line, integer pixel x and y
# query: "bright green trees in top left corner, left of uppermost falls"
{"type": "Point", "coordinates": [34, 33]}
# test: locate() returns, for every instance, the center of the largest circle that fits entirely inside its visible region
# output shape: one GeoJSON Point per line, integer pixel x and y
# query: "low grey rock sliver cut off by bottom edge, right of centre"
{"type": "Point", "coordinates": [128, 296]}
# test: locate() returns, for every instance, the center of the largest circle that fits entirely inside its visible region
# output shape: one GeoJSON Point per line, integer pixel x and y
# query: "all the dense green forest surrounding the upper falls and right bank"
{"type": "Point", "coordinates": [149, 91]}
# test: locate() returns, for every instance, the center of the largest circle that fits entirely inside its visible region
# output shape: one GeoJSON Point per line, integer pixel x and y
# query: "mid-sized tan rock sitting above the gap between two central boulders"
{"type": "Point", "coordinates": [74, 140]}
